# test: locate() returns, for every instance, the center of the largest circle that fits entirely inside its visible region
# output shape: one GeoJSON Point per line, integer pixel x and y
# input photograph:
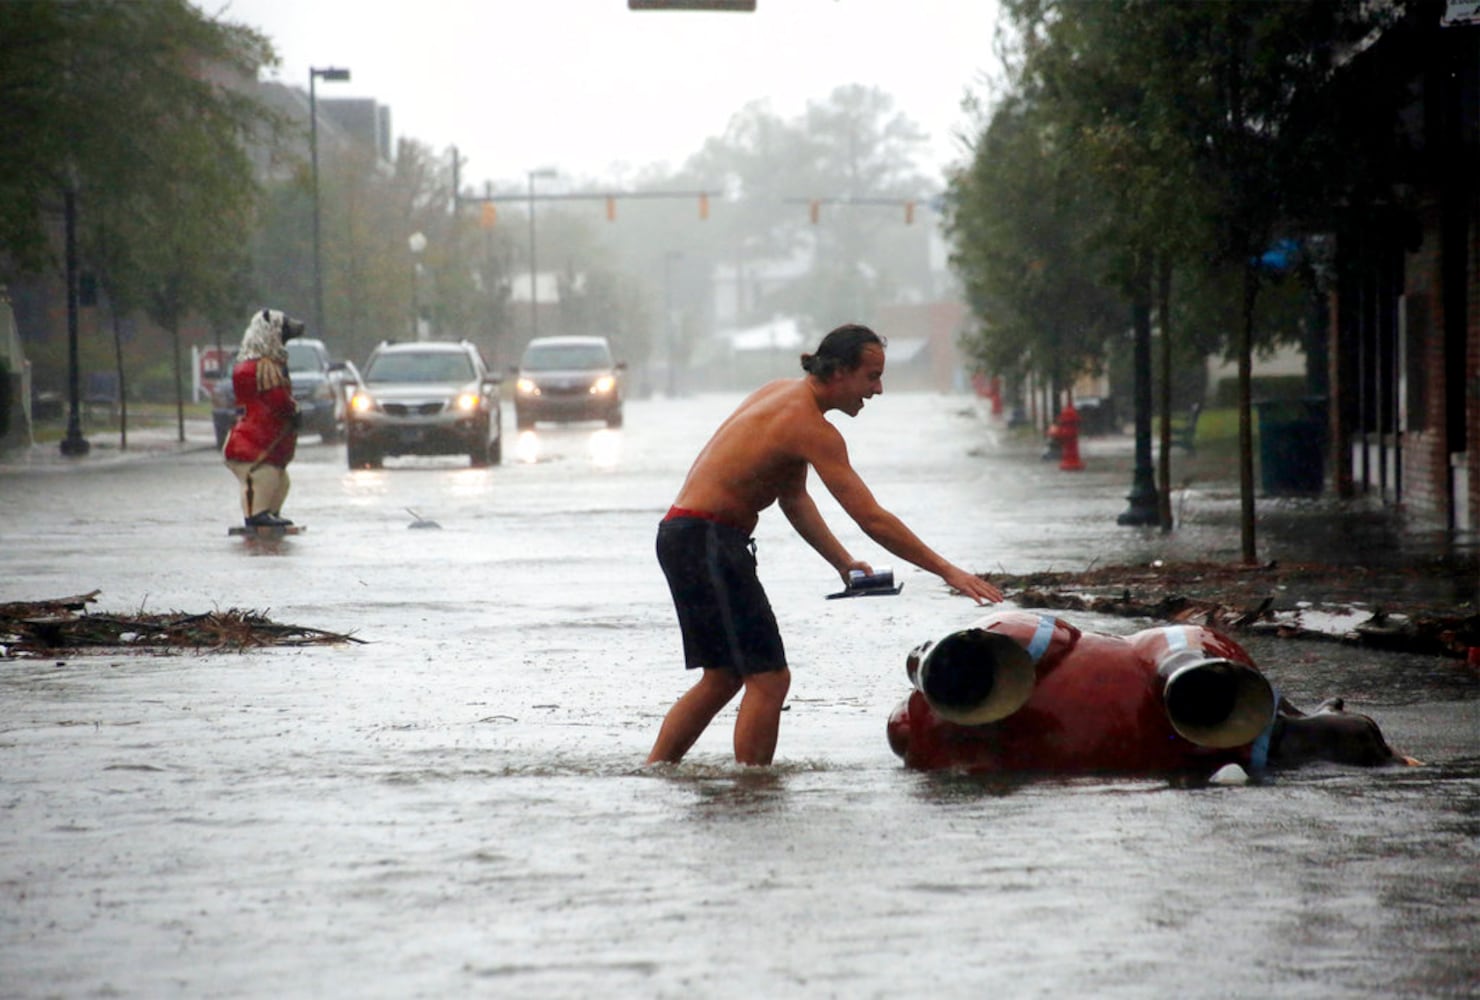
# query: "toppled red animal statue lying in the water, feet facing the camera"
{"type": "Point", "coordinates": [1029, 693]}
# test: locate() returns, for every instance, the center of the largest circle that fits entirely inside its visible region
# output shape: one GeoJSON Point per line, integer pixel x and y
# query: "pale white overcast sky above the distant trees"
{"type": "Point", "coordinates": [597, 91]}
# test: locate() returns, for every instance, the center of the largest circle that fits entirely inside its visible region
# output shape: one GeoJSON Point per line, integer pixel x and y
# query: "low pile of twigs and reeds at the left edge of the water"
{"type": "Point", "coordinates": [42, 628]}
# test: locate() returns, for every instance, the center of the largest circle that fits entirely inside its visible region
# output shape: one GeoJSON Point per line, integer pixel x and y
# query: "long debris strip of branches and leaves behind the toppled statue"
{"type": "Point", "coordinates": [1340, 604]}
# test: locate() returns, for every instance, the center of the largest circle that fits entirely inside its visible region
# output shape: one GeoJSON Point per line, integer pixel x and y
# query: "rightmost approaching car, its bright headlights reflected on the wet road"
{"type": "Point", "coordinates": [569, 379]}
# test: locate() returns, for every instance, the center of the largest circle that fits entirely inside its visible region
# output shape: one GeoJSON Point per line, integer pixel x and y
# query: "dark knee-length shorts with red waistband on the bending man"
{"type": "Point", "coordinates": [723, 612]}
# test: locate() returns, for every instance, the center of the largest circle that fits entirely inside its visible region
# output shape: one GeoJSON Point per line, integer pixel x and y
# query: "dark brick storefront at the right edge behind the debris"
{"type": "Point", "coordinates": [1407, 301]}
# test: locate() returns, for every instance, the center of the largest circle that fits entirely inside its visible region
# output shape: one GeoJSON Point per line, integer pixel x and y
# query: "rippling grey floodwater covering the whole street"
{"type": "Point", "coordinates": [458, 805]}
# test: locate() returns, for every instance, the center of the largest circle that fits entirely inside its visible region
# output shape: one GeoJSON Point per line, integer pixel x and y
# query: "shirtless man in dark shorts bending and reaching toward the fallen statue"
{"type": "Point", "coordinates": [760, 456]}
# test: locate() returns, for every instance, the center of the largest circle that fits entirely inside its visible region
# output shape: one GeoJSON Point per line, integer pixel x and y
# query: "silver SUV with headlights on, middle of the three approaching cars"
{"type": "Point", "coordinates": [425, 399]}
